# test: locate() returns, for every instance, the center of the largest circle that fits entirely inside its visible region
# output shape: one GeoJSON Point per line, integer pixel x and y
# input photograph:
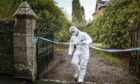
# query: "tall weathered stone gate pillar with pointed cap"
{"type": "Point", "coordinates": [24, 51]}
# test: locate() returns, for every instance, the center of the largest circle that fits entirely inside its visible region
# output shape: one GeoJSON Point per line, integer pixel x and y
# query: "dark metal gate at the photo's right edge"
{"type": "Point", "coordinates": [134, 66]}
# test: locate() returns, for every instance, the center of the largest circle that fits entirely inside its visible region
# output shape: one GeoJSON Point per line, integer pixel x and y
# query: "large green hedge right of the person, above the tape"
{"type": "Point", "coordinates": [113, 27]}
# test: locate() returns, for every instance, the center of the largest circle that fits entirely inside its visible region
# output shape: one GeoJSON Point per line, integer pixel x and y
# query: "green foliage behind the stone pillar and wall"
{"type": "Point", "coordinates": [50, 16]}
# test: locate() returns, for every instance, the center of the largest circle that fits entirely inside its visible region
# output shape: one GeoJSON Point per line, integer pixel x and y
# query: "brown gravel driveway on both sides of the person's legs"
{"type": "Point", "coordinates": [99, 71]}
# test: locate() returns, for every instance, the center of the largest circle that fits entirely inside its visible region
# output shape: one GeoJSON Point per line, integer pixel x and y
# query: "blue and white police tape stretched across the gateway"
{"type": "Point", "coordinates": [91, 46]}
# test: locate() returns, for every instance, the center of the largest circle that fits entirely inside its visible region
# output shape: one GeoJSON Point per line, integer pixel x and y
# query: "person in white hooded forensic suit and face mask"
{"type": "Point", "coordinates": [81, 55]}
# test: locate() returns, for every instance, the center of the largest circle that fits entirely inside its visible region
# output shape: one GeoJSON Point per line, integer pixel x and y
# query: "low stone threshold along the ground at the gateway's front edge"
{"type": "Point", "coordinates": [51, 81]}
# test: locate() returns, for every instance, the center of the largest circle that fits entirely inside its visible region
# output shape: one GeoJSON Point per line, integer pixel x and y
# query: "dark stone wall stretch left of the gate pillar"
{"type": "Point", "coordinates": [6, 46]}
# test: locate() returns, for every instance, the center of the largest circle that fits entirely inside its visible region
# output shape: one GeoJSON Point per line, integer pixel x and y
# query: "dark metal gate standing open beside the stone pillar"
{"type": "Point", "coordinates": [44, 50]}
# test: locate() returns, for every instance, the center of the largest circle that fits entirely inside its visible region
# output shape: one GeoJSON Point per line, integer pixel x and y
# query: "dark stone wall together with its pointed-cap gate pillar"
{"type": "Point", "coordinates": [17, 52]}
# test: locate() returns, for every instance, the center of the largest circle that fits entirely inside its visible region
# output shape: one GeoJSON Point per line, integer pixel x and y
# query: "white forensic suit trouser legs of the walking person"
{"type": "Point", "coordinates": [79, 64]}
